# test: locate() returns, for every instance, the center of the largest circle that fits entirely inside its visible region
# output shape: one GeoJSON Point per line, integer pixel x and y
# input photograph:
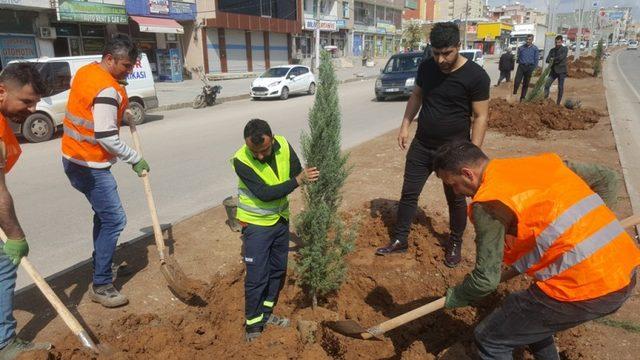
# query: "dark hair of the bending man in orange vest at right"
{"type": "Point", "coordinates": [455, 155]}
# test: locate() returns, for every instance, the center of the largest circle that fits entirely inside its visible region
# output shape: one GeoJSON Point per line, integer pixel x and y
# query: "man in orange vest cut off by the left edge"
{"type": "Point", "coordinates": [20, 90]}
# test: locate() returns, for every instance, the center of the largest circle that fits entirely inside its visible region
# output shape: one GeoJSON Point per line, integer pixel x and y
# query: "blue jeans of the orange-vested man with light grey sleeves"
{"type": "Point", "coordinates": [109, 219]}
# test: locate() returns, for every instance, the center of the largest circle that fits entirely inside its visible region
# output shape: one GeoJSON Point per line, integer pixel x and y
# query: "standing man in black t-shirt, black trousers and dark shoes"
{"type": "Point", "coordinates": [452, 95]}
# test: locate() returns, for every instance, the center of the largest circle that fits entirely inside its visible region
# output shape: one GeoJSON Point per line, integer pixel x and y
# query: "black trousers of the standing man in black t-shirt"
{"type": "Point", "coordinates": [417, 168]}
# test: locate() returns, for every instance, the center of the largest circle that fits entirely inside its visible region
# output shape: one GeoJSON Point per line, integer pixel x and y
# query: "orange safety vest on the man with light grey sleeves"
{"type": "Point", "coordinates": [78, 141]}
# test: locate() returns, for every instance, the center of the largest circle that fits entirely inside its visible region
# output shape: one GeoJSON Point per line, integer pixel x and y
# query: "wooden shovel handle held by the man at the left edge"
{"type": "Point", "coordinates": [53, 299]}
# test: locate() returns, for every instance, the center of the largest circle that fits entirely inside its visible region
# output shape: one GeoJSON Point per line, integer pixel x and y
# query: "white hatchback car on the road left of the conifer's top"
{"type": "Point", "coordinates": [280, 81]}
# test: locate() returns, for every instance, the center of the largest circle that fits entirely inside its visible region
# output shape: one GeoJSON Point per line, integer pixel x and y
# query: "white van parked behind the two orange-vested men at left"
{"type": "Point", "coordinates": [59, 72]}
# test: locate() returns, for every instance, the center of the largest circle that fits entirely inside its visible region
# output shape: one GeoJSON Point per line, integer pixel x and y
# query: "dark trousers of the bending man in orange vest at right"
{"type": "Point", "coordinates": [531, 318]}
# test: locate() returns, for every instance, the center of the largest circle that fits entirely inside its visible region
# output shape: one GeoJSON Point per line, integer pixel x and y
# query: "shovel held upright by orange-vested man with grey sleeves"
{"type": "Point", "coordinates": [186, 289]}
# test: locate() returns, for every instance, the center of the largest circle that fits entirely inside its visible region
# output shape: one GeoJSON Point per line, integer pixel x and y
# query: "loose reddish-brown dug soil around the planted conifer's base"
{"type": "Point", "coordinates": [377, 289]}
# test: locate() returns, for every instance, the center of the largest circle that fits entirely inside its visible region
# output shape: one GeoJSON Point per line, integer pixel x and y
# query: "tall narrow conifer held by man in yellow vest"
{"type": "Point", "coordinates": [325, 241]}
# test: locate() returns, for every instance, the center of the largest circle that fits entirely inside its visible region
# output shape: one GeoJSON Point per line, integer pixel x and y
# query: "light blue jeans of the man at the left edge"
{"type": "Point", "coordinates": [7, 285]}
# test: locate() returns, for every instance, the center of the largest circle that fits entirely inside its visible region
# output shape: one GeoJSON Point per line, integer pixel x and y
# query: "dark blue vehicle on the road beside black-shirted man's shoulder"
{"type": "Point", "coordinates": [398, 76]}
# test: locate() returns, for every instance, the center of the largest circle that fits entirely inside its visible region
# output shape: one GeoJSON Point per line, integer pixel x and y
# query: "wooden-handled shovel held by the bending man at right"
{"type": "Point", "coordinates": [353, 329]}
